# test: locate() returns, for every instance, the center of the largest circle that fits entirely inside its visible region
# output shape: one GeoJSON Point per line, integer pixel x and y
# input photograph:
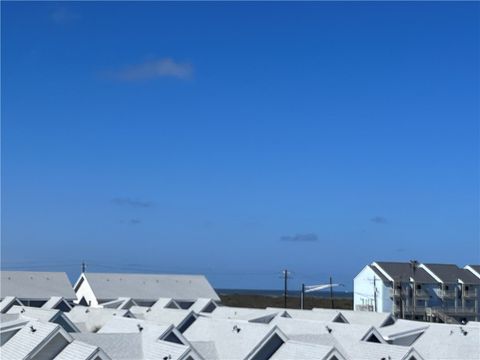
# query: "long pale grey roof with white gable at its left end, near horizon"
{"type": "Point", "coordinates": [150, 287]}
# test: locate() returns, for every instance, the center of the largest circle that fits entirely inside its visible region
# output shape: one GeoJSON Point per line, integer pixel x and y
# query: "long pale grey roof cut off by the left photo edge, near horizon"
{"type": "Point", "coordinates": [36, 285]}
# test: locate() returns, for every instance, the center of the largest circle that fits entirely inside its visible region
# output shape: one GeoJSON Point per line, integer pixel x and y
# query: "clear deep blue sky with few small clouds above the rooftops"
{"type": "Point", "coordinates": [239, 139]}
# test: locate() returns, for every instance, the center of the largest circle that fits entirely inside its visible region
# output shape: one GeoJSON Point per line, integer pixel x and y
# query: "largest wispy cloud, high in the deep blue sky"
{"type": "Point", "coordinates": [153, 69]}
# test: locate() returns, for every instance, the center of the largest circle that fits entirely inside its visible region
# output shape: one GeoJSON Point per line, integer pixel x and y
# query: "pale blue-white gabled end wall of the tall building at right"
{"type": "Point", "coordinates": [364, 292]}
